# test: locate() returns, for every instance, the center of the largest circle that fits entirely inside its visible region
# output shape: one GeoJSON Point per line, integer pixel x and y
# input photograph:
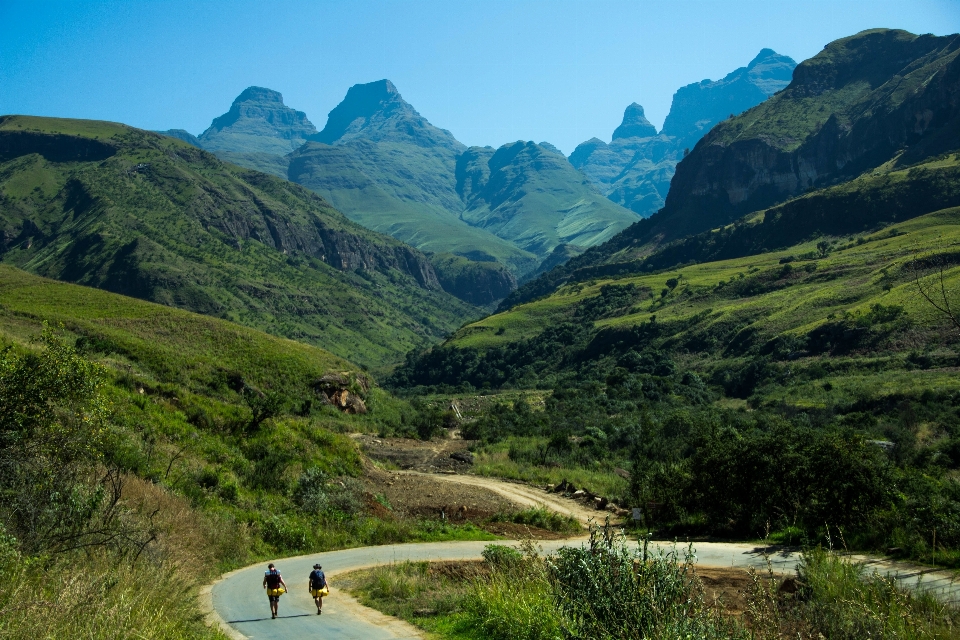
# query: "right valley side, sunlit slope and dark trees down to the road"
{"type": "Point", "coordinates": [784, 392]}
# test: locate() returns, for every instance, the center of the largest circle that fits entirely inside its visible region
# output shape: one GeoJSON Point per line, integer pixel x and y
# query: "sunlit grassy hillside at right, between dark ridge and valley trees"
{"type": "Point", "coordinates": [717, 314]}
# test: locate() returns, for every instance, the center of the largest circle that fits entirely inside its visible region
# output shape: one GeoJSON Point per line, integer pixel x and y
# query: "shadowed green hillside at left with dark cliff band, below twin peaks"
{"type": "Point", "coordinates": [136, 213]}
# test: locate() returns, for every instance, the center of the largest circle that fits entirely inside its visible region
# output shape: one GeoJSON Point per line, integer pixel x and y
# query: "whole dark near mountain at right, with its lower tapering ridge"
{"type": "Point", "coordinates": [861, 137]}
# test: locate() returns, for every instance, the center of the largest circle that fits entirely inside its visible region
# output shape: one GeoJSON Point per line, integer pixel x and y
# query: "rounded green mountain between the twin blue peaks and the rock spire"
{"type": "Point", "coordinates": [531, 195]}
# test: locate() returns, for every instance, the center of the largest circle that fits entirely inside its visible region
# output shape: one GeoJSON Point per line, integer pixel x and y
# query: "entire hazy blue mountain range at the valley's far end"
{"type": "Point", "coordinates": [517, 211]}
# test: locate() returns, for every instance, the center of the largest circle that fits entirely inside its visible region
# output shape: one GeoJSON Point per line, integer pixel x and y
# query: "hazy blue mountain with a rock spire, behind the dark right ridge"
{"type": "Point", "coordinates": [636, 167]}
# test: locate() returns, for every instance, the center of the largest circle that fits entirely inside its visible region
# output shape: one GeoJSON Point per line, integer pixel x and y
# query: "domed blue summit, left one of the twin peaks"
{"type": "Point", "coordinates": [258, 122]}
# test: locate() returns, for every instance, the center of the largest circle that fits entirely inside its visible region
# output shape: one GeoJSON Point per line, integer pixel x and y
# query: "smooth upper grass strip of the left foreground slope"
{"type": "Point", "coordinates": [168, 343]}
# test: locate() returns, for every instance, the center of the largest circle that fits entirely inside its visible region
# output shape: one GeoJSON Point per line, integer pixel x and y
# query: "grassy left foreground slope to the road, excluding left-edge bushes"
{"type": "Point", "coordinates": [215, 492]}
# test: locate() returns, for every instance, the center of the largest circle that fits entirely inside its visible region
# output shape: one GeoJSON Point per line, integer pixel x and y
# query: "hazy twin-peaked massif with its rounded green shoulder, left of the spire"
{"type": "Point", "coordinates": [388, 168]}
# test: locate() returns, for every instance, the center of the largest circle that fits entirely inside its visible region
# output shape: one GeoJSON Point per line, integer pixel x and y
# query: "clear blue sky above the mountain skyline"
{"type": "Point", "coordinates": [490, 71]}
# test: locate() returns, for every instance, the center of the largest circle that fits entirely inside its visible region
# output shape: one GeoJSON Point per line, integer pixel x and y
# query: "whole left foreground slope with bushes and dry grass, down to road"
{"type": "Point", "coordinates": [144, 450]}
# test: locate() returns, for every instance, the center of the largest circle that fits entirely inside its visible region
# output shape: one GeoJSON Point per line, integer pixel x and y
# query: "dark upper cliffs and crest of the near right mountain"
{"type": "Point", "coordinates": [862, 101]}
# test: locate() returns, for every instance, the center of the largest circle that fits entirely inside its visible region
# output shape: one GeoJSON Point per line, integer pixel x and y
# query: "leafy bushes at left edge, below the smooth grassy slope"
{"type": "Point", "coordinates": [52, 426]}
